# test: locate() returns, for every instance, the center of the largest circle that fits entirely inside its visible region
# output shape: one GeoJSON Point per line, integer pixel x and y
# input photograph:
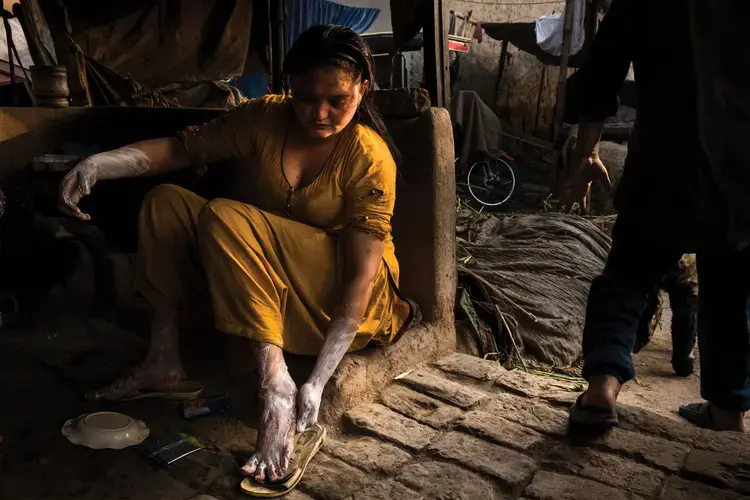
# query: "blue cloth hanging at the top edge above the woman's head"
{"type": "Point", "coordinates": [304, 14]}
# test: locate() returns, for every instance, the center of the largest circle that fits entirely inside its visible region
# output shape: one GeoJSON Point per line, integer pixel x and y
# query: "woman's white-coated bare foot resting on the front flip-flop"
{"type": "Point", "coordinates": [276, 434]}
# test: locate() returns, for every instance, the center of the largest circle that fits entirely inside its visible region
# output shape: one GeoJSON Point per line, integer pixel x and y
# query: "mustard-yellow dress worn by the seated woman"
{"type": "Point", "coordinates": [273, 267]}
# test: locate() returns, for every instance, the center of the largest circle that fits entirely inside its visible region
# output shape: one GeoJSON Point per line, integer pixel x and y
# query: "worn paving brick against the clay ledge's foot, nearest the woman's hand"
{"type": "Point", "coordinates": [385, 423]}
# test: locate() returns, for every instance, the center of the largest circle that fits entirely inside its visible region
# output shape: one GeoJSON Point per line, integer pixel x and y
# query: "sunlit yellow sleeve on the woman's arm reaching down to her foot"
{"type": "Point", "coordinates": [370, 191]}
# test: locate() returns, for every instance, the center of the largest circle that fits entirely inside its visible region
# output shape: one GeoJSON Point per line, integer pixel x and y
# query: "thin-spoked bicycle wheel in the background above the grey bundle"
{"type": "Point", "coordinates": [491, 182]}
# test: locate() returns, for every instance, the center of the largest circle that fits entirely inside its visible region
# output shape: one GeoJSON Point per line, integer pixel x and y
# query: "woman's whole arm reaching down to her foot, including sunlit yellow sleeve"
{"type": "Point", "coordinates": [370, 194]}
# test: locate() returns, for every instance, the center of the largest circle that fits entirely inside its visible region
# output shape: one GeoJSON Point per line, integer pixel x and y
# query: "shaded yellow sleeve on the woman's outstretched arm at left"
{"type": "Point", "coordinates": [234, 134]}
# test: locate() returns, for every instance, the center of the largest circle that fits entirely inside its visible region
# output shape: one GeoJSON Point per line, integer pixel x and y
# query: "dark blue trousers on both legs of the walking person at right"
{"type": "Point", "coordinates": [636, 265]}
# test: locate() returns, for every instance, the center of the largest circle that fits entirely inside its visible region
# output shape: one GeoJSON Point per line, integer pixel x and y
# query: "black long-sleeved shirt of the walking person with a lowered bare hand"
{"type": "Point", "coordinates": [665, 182]}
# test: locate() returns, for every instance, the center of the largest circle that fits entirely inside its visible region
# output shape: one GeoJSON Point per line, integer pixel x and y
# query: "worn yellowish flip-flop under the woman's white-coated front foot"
{"type": "Point", "coordinates": [306, 445]}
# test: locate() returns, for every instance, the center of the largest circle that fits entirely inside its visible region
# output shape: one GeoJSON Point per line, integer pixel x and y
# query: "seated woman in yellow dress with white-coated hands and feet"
{"type": "Point", "coordinates": [308, 268]}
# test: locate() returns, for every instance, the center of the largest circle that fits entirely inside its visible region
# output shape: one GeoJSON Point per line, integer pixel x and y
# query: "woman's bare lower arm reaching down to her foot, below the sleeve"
{"type": "Point", "coordinates": [363, 256]}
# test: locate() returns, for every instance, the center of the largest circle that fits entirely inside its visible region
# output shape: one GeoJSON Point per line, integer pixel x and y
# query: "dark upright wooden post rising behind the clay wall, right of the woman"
{"type": "Point", "coordinates": [436, 57]}
